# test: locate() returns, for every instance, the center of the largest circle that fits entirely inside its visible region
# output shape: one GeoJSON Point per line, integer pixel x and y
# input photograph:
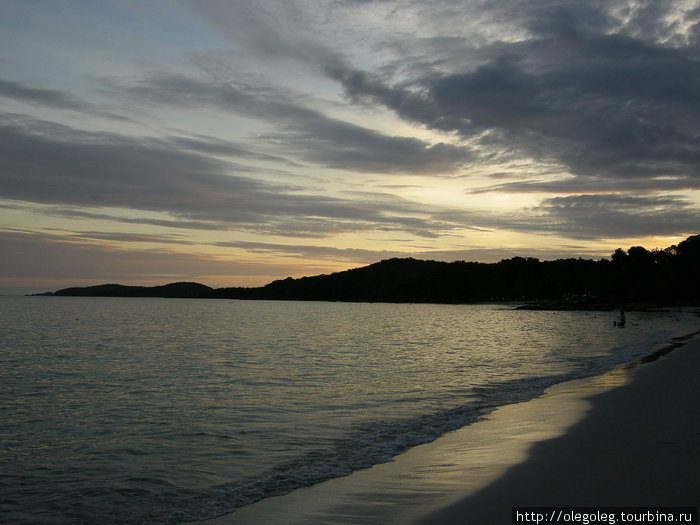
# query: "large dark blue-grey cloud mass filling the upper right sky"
{"type": "Point", "coordinates": [582, 91]}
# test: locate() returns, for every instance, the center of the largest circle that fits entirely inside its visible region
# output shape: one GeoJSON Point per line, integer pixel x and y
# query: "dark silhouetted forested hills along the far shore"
{"type": "Point", "coordinates": [633, 278]}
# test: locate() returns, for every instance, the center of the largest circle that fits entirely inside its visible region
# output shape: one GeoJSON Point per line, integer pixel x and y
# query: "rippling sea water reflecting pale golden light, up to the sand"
{"type": "Point", "coordinates": [120, 410]}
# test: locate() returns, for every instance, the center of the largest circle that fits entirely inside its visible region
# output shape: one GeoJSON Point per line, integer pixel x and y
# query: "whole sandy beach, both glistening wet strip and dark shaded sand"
{"type": "Point", "coordinates": [630, 437]}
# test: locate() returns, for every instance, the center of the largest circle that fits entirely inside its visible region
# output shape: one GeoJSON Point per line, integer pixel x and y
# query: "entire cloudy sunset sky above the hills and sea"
{"type": "Point", "coordinates": [237, 142]}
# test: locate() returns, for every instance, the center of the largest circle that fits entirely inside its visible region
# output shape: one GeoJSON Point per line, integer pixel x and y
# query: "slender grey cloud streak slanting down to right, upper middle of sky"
{"type": "Point", "coordinates": [308, 133]}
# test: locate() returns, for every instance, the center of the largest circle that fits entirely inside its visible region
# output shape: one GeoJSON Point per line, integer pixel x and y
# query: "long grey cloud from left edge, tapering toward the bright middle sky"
{"type": "Point", "coordinates": [50, 164]}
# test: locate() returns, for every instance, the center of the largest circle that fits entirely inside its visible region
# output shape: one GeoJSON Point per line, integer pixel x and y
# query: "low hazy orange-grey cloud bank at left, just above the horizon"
{"type": "Point", "coordinates": [46, 262]}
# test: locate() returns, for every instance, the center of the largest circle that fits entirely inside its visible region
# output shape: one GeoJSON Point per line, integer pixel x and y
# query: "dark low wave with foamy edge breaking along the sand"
{"type": "Point", "coordinates": [381, 441]}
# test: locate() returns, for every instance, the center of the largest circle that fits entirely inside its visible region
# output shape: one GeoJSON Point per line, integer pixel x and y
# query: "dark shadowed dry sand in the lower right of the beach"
{"type": "Point", "coordinates": [638, 446]}
